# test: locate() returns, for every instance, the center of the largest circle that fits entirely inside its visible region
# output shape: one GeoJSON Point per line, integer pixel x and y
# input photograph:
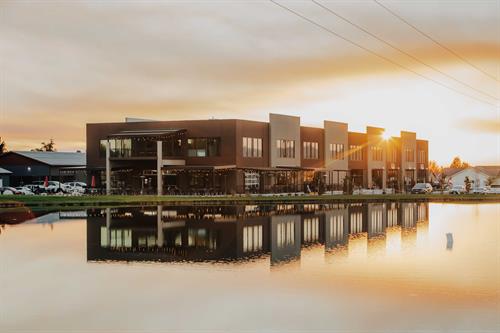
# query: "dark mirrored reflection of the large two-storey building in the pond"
{"type": "Point", "coordinates": [238, 232]}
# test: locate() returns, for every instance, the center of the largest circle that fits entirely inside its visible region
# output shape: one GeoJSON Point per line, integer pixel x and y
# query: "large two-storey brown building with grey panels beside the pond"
{"type": "Point", "coordinates": [242, 156]}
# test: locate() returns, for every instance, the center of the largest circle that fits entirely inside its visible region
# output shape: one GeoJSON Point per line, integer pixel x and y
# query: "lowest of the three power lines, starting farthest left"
{"type": "Point", "coordinates": [377, 54]}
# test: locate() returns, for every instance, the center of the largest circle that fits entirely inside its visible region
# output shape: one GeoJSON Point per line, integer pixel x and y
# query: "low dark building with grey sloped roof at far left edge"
{"type": "Point", "coordinates": [29, 166]}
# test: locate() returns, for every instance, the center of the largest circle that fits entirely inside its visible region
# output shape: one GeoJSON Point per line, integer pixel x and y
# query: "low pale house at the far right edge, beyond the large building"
{"type": "Point", "coordinates": [480, 175]}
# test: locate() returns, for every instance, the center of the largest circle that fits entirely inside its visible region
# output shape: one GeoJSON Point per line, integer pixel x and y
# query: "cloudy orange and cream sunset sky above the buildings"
{"type": "Point", "coordinates": [65, 64]}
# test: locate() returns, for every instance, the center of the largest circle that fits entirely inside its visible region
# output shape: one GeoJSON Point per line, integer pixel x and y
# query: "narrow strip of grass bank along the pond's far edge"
{"type": "Point", "coordinates": [123, 200]}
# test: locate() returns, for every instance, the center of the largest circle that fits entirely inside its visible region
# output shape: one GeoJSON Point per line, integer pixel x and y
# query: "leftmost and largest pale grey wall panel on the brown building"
{"type": "Point", "coordinates": [283, 127]}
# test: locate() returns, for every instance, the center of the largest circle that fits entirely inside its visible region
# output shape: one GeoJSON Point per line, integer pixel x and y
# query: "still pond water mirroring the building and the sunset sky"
{"type": "Point", "coordinates": [370, 267]}
